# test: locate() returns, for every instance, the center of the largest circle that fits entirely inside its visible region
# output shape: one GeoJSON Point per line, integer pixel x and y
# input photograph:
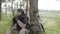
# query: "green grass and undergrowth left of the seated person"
{"type": "Point", "coordinates": [4, 23]}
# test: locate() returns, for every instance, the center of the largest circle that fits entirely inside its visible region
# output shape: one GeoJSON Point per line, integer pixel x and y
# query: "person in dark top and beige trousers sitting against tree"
{"type": "Point", "coordinates": [16, 26]}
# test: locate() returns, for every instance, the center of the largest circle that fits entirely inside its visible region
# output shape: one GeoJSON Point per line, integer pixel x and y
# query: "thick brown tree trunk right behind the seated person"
{"type": "Point", "coordinates": [33, 10]}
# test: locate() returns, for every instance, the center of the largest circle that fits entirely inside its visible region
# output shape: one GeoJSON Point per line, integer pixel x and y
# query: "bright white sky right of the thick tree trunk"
{"type": "Point", "coordinates": [49, 4]}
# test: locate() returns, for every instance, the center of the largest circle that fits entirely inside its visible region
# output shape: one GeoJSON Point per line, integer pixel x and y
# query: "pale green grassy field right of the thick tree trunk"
{"type": "Point", "coordinates": [51, 23]}
